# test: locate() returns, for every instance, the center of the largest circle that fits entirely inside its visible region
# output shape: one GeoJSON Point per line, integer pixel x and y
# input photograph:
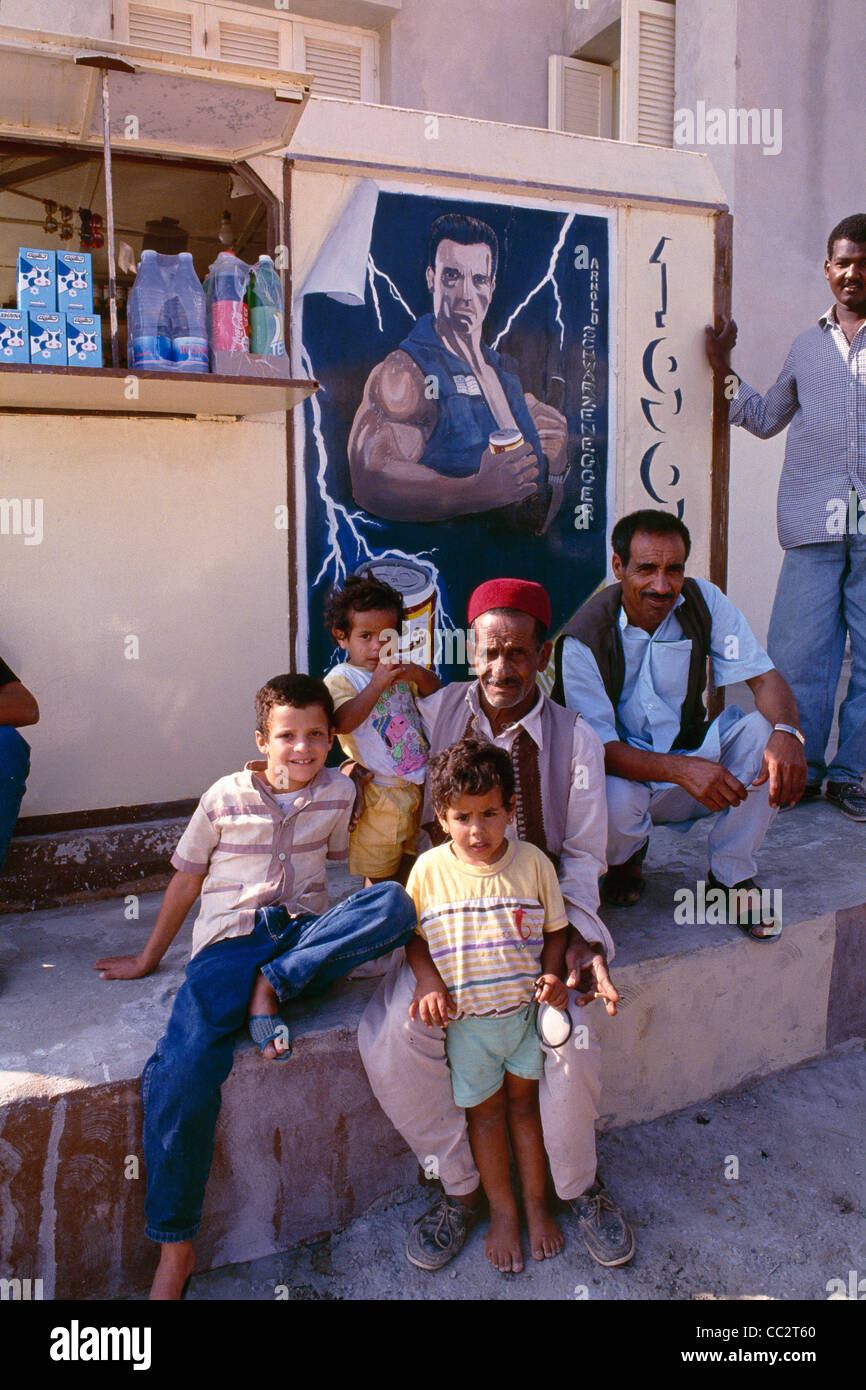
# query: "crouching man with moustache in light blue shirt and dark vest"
{"type": "Point", "coordinates": [635, 665]}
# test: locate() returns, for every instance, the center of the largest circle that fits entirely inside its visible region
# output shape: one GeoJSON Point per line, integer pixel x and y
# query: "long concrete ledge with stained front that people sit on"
{"type": "Point", "coordinates": [304, 1149]}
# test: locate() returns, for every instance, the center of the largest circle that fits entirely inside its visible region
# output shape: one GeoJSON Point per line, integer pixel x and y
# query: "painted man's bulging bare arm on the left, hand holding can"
{"type": "Point", "coordinates": [389, 437]}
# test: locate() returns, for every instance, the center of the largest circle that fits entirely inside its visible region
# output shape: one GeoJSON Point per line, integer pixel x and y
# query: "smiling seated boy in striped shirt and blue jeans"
{"type": "Point", "coordinates": [256, 851]}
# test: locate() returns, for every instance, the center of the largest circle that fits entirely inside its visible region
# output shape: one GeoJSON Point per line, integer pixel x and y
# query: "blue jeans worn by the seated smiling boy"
{"type": "Point", "coordinates": [181, 1082]}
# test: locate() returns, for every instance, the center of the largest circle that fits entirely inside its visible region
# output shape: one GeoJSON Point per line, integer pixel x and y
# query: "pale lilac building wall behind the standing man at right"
{"type": "Point", "coordinates": [739, 54]}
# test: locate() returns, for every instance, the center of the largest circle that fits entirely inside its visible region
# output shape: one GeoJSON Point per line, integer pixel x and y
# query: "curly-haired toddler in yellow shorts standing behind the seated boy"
{"type": "Point", "coordinates": [379, 725]}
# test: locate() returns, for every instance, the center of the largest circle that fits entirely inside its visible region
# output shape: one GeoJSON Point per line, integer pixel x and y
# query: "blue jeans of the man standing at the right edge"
{"type": "Point", "coordinates": [821, 597]}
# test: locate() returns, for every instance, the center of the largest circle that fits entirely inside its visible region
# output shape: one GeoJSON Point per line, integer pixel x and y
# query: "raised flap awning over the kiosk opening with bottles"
{"type": "Point", "coordinates": [170, 105]}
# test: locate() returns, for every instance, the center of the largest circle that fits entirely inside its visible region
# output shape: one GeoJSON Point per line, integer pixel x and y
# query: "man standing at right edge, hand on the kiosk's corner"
{"type": "Point", "coordinates": [821, 514]}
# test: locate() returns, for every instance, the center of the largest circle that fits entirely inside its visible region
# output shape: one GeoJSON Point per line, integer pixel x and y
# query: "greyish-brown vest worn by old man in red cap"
{"type": "Point", "coordinates": [543, 776]}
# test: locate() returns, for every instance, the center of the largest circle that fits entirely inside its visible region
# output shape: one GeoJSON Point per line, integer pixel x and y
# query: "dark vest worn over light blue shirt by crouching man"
{"type": "Point", "coordinates": [597, 626]}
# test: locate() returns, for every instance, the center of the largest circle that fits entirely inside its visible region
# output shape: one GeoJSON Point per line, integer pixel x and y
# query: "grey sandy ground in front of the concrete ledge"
{"type": "Point", "coordinates": [790, 1224]}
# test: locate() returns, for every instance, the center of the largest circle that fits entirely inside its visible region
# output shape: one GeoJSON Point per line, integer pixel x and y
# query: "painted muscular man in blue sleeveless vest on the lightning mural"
{"type": "Point", "coordinates": [419, 444]}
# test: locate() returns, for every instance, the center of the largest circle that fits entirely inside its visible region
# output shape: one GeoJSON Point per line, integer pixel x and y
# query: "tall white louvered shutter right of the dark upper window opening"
{"type": "Point", "coordinates": [648, 73]}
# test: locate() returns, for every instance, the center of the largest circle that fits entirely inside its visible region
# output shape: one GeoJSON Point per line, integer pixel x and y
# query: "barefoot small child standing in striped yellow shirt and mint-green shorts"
{"type": "Point", "coordinates": [490, 943]}
